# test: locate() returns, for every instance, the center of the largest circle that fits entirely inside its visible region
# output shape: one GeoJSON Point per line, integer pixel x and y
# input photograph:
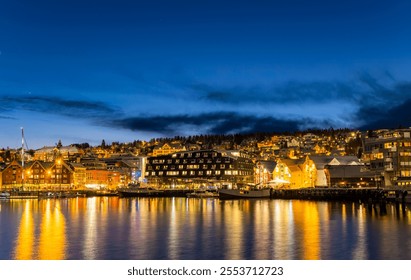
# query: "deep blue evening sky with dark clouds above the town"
{"type": "Point", "coordinates": [83, 71]}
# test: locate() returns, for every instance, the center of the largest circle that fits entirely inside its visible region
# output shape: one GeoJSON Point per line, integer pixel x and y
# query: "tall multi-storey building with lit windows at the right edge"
{"type": "Point", "coordinates": [387, 153]}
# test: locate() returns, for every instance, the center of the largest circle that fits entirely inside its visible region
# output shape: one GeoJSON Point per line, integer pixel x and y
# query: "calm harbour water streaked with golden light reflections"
{"type": "Point", "coordinates": [188, 229]}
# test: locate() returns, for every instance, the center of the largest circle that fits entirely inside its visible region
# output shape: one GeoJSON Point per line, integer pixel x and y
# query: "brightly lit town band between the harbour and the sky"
{"type": "Point", "coordinates": [316, 158]}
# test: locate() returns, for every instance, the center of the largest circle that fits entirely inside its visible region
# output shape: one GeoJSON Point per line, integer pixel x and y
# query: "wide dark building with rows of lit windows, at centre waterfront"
{"type": "Point", "coordinates": [225, 168]}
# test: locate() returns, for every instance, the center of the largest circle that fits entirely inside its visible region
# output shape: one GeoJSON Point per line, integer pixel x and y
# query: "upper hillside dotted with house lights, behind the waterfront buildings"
{"type": "Point", "coordinates": [328, 140]}
